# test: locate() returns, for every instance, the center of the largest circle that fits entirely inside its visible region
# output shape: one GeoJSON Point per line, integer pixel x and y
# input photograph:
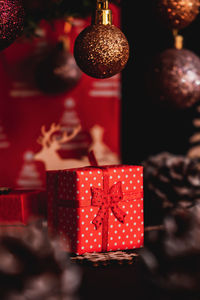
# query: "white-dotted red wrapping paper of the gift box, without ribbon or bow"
{"type": "Point", "coordinates": [75, 223]}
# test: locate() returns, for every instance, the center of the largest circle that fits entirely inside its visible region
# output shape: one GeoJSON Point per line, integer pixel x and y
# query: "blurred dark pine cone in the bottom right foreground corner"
{"type": "Point", "coordinates": [171, 256]}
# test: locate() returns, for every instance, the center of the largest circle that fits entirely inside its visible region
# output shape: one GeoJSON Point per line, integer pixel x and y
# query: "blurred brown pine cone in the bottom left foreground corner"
{"type": "Point", "coordinates": [33, 267]}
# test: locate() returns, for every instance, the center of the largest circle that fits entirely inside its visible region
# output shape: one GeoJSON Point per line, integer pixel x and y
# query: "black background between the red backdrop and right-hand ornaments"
{"type": "Point", "coordinates": [147, 127]}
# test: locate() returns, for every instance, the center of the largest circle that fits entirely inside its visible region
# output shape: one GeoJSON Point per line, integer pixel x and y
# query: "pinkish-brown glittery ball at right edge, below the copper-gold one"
{"type": "Point", "coordinates": [176, 78]}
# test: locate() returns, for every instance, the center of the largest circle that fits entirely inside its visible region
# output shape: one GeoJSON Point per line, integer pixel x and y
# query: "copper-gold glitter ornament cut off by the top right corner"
{"type": "Point", "coordinates": [177, 14]}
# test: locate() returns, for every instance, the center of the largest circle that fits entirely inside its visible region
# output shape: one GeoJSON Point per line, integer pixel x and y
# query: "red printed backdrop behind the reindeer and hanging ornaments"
{"type": "Point", "coordinates": [24, 109]}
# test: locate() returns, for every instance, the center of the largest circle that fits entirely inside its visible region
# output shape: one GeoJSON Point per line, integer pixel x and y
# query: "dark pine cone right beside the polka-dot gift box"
{"type": "Point", "coordinates": [169, 181]}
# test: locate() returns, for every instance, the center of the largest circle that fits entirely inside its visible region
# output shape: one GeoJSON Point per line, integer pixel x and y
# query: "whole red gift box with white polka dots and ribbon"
{"type": "Point", "coordinates": [97, 208]}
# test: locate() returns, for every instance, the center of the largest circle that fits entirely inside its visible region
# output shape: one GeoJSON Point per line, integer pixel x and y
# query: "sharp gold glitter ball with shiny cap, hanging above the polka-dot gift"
{"type": "Point", "coordinates": [101, 50]}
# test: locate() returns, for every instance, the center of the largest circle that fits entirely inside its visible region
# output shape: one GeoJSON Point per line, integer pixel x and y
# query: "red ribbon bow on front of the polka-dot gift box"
{"type": "Point", "coordinates": [106, 200]}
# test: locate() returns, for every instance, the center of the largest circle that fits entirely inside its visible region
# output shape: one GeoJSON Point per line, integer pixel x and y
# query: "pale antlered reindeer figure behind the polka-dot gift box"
{"type": "Point", "coordinates": [50, 145]}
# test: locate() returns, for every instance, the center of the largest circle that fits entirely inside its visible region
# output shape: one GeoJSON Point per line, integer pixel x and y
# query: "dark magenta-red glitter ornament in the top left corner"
{"type": "Point", "coordinates": [11, 21]}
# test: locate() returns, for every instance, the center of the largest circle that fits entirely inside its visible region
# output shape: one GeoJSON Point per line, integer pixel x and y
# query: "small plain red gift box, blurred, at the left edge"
{"type": "Point", "coordinates": [19, 207]}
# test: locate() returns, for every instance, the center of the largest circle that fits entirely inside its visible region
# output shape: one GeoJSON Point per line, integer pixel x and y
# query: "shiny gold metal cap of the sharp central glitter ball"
{"type": "Point", "coordinates": [103, 15]}
